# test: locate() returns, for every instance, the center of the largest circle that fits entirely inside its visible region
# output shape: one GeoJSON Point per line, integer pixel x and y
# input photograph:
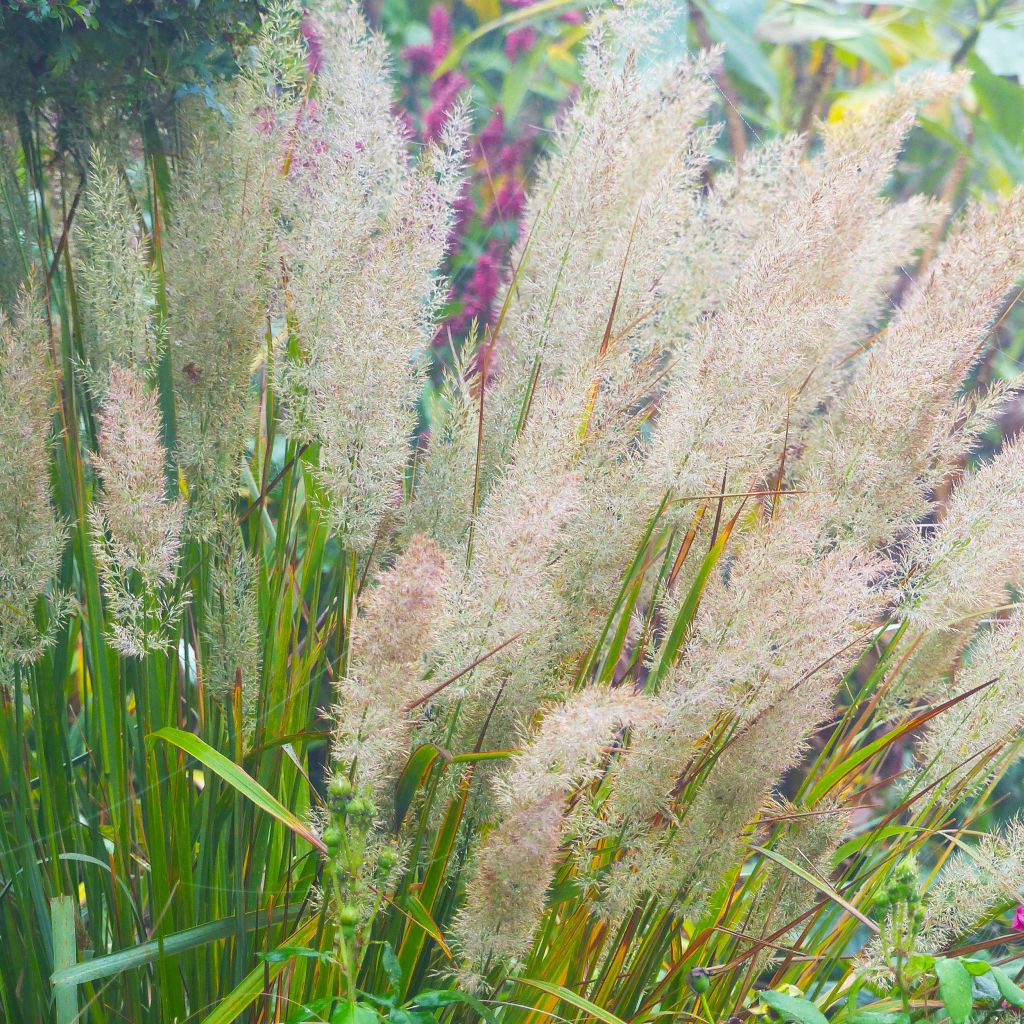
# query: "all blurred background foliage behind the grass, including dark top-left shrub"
{"type": "Point", "coordinates": [72, 68]}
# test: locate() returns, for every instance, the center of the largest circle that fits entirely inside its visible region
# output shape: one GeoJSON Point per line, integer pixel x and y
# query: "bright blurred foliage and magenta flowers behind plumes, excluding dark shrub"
{"type": "Point", "coordinates": [788, 63]}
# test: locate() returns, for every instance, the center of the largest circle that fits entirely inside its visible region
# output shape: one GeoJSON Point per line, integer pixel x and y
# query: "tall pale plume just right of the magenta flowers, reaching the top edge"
{"type": "Point", "coordinates": [600, 226]}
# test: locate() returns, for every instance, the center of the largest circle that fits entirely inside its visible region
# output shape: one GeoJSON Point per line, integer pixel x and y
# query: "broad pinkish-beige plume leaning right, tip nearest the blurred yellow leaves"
{"type": "Point", "coordinates": [807, 283]}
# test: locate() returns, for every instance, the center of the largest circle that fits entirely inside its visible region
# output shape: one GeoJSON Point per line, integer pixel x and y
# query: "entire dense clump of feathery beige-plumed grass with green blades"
{"type": "Point", "coordinates": [638, 674]}
